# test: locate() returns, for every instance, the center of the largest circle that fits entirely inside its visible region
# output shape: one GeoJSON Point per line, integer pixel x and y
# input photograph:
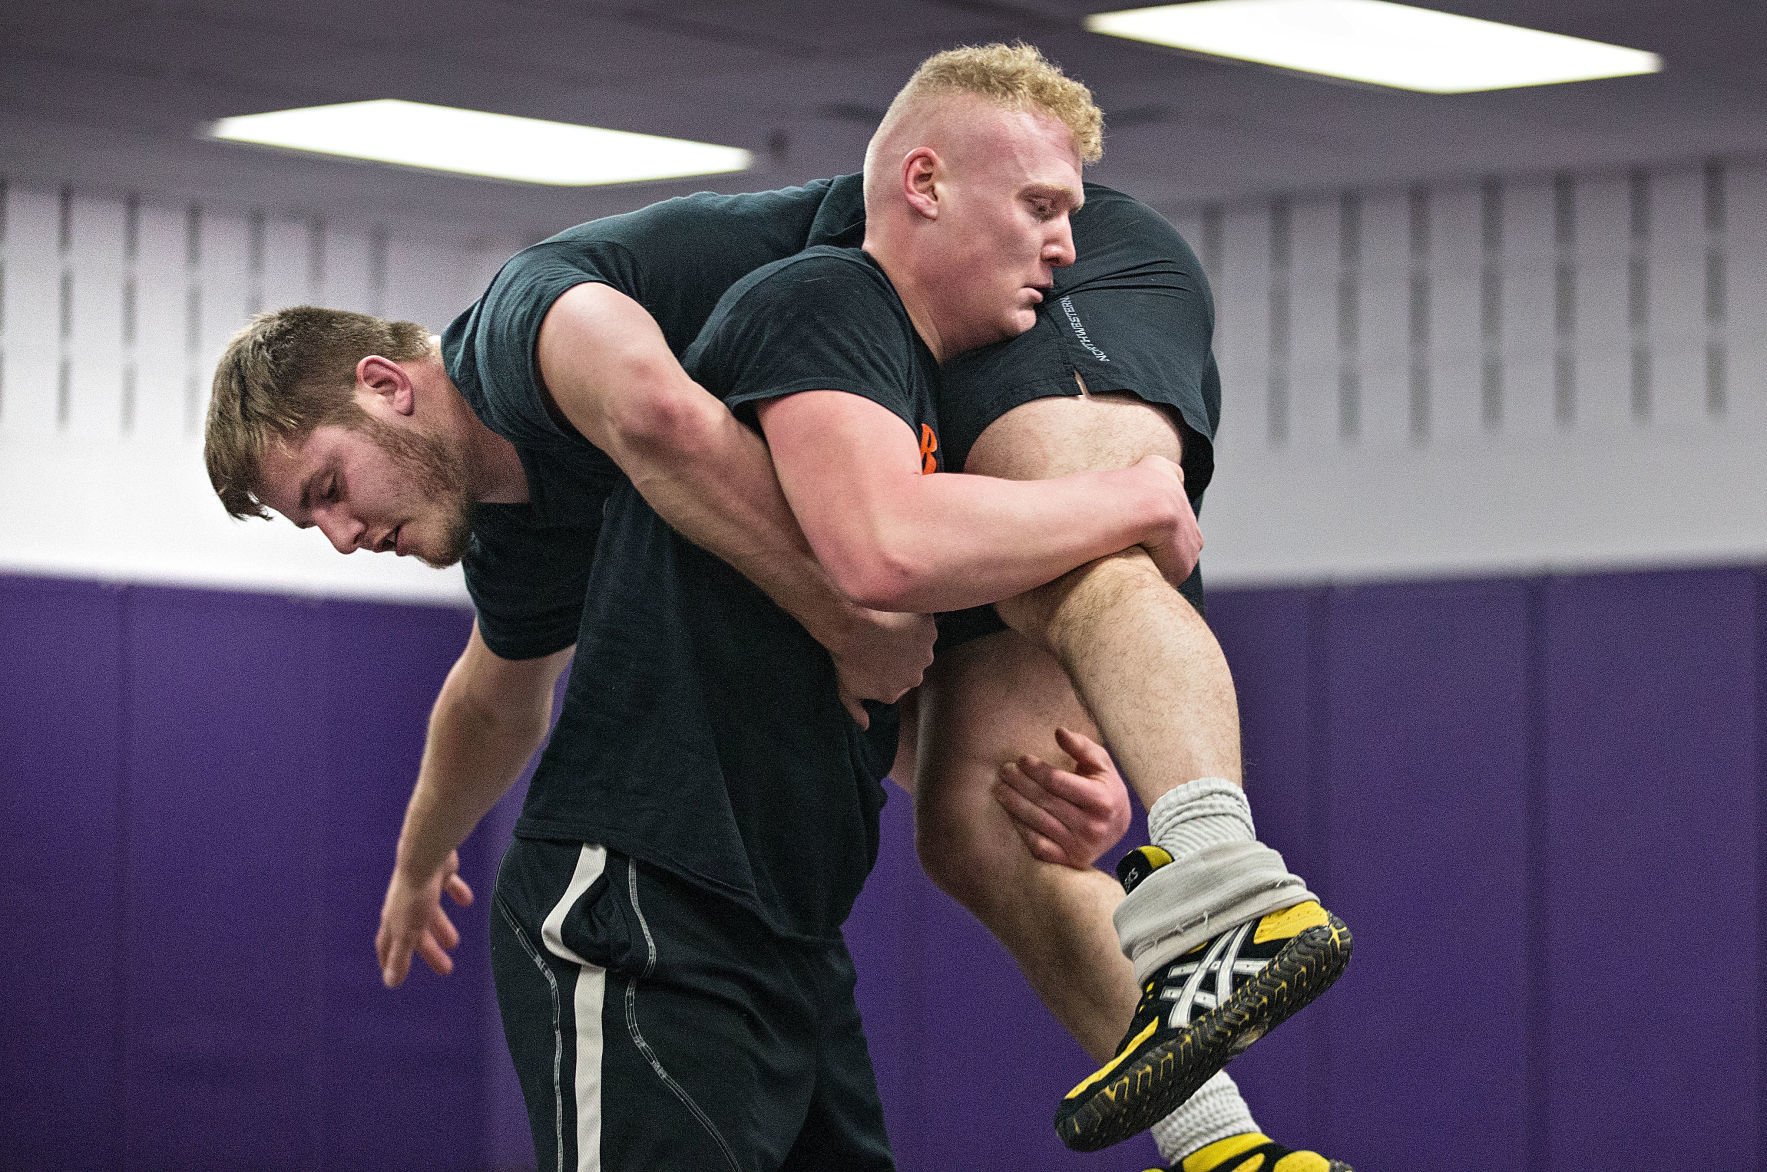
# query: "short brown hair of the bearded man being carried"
{"type": "Point", "coordinates": [284, 376]}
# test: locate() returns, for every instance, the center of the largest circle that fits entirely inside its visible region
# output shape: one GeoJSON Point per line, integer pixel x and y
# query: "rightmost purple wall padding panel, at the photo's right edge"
{"type": "Point", "coordinates": [1653, 818]}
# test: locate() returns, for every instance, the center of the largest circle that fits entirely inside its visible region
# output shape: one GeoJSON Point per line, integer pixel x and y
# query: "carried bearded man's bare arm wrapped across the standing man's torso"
{"type": "Point", "coordinates": [610, 372]}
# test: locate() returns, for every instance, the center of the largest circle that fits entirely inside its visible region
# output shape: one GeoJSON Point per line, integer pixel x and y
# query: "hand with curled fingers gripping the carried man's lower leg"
{"type": "Point", "coordinates": [1068, 816]}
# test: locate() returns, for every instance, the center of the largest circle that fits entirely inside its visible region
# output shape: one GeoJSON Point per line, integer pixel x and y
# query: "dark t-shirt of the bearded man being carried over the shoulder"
{"type": "Point", "coordinates": [529, 565]}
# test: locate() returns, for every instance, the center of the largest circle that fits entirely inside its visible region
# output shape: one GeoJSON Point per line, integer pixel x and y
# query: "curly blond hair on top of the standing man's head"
{"type": "Point", "coordinates": [1015, 77]}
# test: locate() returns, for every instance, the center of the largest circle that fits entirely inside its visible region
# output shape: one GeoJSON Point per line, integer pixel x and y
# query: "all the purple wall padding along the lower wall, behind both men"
{"type": "Point", "coordinates": [1538, 803]}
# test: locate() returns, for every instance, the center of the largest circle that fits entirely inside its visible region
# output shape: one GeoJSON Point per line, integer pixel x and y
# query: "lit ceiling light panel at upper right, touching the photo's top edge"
{"type": "Point", "coordinates": [1379, 43]}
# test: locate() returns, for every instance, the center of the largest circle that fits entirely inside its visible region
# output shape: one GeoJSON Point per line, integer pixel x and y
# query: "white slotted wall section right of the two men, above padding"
{"type": "Point", "coordinates": [1528, 374]}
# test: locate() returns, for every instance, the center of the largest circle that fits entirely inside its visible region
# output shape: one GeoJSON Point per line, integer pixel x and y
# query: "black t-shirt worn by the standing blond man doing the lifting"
{"type": "Point", "coordinates": [702, 729]}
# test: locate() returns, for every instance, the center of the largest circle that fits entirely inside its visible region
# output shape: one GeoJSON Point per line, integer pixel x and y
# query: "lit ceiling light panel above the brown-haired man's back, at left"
{"type": "Point", "coordinates": [471, 142]}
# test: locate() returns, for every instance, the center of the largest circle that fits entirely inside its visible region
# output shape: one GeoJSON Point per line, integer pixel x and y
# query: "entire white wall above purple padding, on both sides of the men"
{"type": "Point", "coordinates": [1517, 376]}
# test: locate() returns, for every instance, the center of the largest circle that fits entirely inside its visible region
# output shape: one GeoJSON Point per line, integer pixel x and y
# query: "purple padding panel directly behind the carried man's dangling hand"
{"type": "Point", "coordinates": [381, 669]}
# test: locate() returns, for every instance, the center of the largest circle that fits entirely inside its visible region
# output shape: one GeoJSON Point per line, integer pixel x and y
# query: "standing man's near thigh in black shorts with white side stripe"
{"type": "Point", "coordinates": [651, 1028]}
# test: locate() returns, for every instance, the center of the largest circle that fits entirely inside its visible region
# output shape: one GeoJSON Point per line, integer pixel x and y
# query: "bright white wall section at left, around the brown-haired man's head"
{"type": "Point", "coordinates": [112, 316]}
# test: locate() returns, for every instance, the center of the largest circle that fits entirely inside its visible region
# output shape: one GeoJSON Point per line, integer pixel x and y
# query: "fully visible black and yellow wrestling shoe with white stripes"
{"type": "Point", "coordinates": [1202, 1010]}
